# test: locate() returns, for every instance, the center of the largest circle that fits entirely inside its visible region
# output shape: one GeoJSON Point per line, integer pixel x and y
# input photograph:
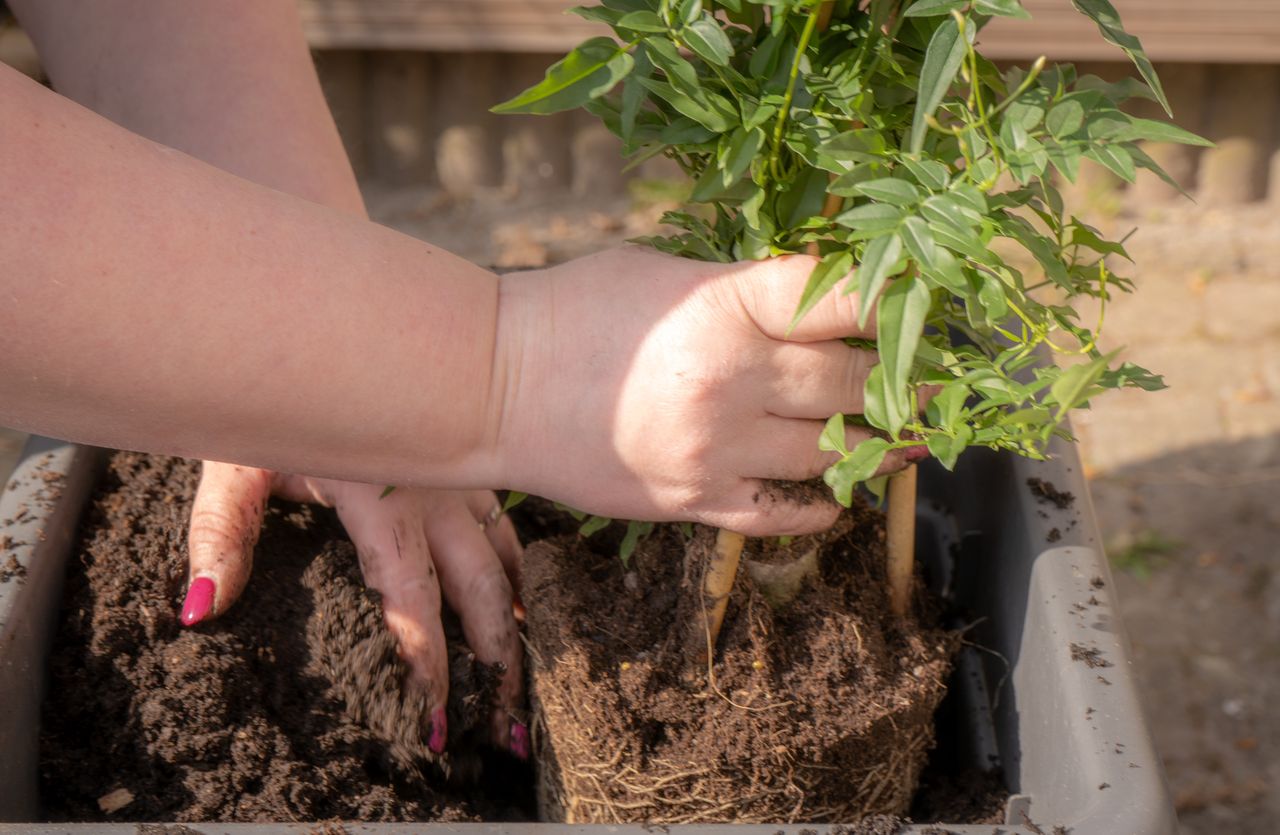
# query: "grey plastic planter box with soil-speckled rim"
{"type": "Point", "coordinates": [1071, 737]}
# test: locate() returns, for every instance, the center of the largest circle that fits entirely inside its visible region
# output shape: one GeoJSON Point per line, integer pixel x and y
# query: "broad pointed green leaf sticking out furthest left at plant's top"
{"type": "Point", "coordinates": [588, 72]}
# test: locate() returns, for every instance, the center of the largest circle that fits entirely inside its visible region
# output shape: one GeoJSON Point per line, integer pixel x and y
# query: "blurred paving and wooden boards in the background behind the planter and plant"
{"type": "Point", "coordinates": [1186, 482]}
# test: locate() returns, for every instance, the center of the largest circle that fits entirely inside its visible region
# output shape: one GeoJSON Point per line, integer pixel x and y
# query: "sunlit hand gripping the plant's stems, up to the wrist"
{"type": "Point", "coordinates": [642, 386]}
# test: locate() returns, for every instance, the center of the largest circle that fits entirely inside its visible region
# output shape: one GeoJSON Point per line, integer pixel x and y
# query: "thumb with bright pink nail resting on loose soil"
{"type": "Point", "coordinates": [226, 522]}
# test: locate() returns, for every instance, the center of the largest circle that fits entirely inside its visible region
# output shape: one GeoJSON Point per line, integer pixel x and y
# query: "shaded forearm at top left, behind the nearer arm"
{"type": "Point", "coordinates": [228, 83]}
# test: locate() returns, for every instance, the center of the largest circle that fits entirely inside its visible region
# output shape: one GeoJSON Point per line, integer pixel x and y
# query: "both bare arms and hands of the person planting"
{"type": "Point", "coordinates": [199, 280]}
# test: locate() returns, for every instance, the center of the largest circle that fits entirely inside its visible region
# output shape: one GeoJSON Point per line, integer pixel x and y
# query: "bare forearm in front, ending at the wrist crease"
{"type": "Point", "coordinates": [150, 300]}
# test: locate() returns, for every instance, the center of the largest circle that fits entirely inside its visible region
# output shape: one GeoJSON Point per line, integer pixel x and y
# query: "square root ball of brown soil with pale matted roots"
{"type": "Point", "coordinates": [819, 711]}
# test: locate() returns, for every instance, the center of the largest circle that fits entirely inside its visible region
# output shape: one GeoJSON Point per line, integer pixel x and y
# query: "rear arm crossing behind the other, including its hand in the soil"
{"type": "Point", "coordinates": [234, 85]}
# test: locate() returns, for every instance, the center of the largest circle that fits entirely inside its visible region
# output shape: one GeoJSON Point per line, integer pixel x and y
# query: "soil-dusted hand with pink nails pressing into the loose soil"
{"type": "Point", "coordinates": [413, 546]}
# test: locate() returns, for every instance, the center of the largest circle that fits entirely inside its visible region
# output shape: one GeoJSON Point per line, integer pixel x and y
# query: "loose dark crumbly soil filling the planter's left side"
{"type": "Point", "coordinates": [286, 709]}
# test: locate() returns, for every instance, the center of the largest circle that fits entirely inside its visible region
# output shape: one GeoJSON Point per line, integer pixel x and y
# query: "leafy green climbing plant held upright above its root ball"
{"type": "Point", "coordinates": [922, 152]}
